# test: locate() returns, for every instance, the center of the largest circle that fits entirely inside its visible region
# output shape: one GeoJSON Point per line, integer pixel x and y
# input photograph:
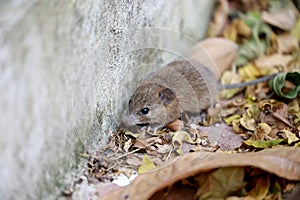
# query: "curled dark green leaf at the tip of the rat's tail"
{"type": "Point", "coordinates": [278, 83]}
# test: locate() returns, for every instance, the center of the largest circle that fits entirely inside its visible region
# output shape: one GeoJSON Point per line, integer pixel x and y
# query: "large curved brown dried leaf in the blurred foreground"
{"type": "Point", "coordinates": [282, 161]}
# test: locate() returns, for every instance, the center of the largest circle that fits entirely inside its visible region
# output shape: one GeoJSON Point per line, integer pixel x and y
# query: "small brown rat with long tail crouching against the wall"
{"type": "Point", "coordinates": [181, 87]}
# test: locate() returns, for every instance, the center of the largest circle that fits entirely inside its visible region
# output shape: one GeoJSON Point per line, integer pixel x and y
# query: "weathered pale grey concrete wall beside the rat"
{"type": "Point", "coordinates": [67, 68]}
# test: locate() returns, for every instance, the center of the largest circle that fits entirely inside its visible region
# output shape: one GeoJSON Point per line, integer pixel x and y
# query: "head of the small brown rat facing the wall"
{"type": "Point", "coordinates": [152, 104]}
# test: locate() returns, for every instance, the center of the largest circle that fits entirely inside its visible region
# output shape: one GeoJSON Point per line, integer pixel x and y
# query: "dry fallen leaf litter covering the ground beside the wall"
{"type": "Point", "coordinates": [247, 145]}
